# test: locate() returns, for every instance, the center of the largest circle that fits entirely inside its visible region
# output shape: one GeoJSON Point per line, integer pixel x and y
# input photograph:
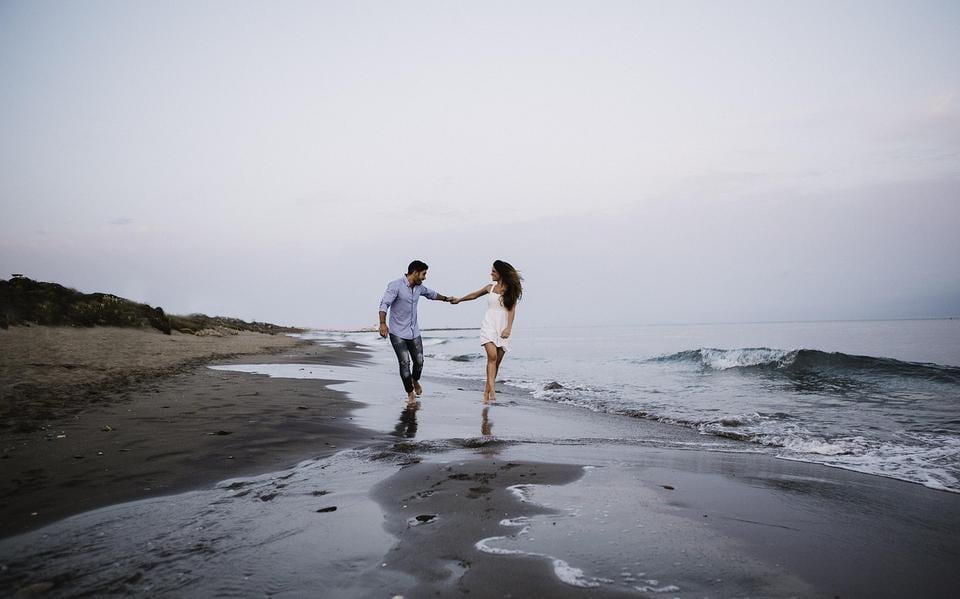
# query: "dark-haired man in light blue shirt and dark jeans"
{"type": "Point", "coordinates": [401, 299]}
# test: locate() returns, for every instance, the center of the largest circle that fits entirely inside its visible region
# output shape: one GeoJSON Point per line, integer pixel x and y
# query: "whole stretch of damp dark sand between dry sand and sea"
{"type": "Point", "coordinates": [299, 472]}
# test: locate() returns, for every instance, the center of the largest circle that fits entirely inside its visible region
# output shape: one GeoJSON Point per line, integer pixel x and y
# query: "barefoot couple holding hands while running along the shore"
{"type": "Point", "coordinates": [401, 298]}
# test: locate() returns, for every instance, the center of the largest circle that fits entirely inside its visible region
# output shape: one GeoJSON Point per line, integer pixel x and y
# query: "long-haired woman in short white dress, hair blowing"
{"type": "Point", "coordinates": [497, 324]}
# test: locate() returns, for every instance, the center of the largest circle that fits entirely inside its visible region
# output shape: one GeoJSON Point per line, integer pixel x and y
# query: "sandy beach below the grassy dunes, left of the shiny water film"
{"type": "Point", "coordinates": [98, 416]}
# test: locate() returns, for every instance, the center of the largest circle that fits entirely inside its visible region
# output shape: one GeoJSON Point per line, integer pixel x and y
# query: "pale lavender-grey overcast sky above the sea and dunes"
{"type": "Point", "coordinates": [638, 162]}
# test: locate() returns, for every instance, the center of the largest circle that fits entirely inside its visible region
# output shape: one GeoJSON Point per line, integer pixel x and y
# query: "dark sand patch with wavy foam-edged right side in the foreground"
{"type": "Point", "coordinates": [438, 512]}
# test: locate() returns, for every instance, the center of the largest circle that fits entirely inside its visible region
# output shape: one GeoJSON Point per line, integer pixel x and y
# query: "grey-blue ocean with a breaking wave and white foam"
{"type": "Point", "coordinates": [878, 397]}
